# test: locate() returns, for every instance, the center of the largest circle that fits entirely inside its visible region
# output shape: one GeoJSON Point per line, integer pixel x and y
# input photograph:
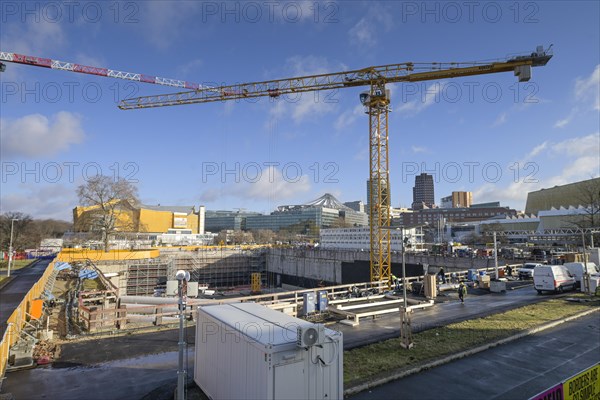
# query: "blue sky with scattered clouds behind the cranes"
{"type": "Point", "coordinates": [484, 134]}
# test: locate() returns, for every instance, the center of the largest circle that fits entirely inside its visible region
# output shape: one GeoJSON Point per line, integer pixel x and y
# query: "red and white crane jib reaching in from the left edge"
{"type": "Point", "coordinates": [86, 69]}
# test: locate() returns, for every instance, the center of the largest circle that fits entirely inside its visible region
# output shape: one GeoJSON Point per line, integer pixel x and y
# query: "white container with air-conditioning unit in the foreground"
{"type": "Point", "coordinates": [248, 351]}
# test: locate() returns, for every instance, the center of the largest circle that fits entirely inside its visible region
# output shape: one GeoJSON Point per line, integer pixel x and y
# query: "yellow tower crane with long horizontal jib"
{"type": "Point", "coordinates": [377, 105]}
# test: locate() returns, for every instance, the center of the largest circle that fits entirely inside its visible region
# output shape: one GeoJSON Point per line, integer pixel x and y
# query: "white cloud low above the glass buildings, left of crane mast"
{"type": "Point", "coordinates": [270, 183]}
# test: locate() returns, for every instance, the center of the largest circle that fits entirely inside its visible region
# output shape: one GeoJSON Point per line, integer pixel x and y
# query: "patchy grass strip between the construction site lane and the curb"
{"type": "Point", "coordinates": [375, 360]}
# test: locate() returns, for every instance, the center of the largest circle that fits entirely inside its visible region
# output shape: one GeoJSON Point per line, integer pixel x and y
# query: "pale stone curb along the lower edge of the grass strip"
{"type": "Point", "coordinates": [444, 360]}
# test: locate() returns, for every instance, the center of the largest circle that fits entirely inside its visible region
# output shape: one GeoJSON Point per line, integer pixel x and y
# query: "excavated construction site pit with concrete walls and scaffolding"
{"type": "Point", "coordinates": [84, 298]}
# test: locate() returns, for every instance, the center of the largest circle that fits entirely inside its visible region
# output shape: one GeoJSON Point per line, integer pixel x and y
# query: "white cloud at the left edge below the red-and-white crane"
{"type": "Point", "coordinates": [36, 135]}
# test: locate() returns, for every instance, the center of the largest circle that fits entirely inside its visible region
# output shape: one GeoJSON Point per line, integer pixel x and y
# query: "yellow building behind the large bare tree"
{"type": "Point", "coordinates": [142, 218]}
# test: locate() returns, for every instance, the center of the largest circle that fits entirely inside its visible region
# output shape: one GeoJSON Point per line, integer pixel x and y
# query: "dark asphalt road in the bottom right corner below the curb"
{"type": "Point", "coordinates": [518, 370]}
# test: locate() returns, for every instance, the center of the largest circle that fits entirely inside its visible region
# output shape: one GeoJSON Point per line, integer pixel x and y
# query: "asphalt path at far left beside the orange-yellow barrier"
{"type": "Point", "coordinates": [14, 291]}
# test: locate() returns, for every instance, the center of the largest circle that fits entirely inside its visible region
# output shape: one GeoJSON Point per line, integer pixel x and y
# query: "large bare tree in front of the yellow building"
{"type": "Point", "coordinates": [106, 198]}
